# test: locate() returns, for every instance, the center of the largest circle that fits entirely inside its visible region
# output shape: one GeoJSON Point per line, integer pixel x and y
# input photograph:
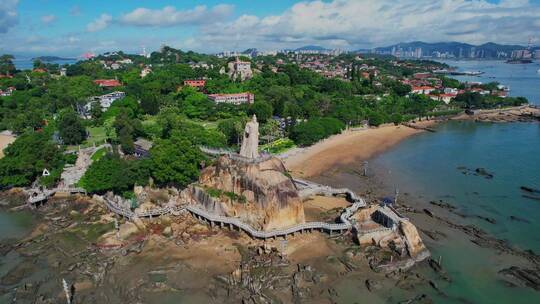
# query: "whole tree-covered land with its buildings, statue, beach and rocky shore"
{"type": "Point", "coordinates": [146, 183]}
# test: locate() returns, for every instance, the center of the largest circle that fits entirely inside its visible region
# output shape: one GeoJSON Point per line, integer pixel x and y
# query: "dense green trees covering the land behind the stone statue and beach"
{"type": "Point", "coordinates": [42, 111]}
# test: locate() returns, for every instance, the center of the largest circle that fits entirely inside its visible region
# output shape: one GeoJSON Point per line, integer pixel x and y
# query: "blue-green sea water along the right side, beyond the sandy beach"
{"type": "Point", "coordinates": [428, 167]}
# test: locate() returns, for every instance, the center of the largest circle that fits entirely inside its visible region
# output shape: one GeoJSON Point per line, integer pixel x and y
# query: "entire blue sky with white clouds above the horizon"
{"type": "Point", "coordinates": [61, 27]}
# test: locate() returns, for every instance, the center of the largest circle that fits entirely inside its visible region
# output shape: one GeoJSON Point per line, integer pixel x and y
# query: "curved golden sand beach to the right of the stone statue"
{"type": "Point", "coordinates": [347, 148]}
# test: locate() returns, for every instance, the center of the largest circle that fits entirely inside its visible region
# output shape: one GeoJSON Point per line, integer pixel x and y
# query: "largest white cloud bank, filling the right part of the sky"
{"type": "Point", "coordinates": [367, 23]}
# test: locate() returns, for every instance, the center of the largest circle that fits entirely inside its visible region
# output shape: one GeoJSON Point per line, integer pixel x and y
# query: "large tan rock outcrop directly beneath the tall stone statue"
{"type": "Point", "coordinates": [259, 194]}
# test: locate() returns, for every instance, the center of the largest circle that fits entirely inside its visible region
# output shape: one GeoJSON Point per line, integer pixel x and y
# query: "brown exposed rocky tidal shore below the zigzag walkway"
{"type": "Point", "coordinates": [76, 240]}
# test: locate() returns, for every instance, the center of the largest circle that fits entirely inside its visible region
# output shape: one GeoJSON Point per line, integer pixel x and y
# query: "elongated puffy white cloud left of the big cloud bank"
{"type": "Point", "coordinates": [170, 16]}
